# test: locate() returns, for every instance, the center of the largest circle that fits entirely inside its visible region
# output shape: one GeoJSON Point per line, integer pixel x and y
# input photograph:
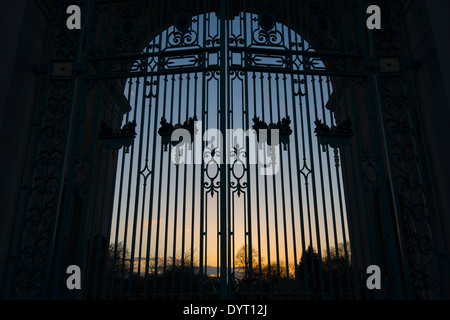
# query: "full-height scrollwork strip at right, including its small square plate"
{"type": "Point", "coordinates": [411, 189]}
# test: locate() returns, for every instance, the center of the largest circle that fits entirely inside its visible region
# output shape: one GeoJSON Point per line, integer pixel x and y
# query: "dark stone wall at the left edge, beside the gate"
{"type": "Point", "coordinates": [23, 26]}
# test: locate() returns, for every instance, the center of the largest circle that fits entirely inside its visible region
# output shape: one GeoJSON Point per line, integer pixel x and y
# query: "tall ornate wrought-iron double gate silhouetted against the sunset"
{"type": "Point", "coordinates": [319, 177]}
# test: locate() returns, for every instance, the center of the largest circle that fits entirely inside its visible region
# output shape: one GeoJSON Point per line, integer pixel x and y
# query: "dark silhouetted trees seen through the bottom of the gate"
{"type": "Point", "coordinates": [314, 275]}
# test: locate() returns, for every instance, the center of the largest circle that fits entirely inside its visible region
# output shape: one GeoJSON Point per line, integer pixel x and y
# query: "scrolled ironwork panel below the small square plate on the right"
{"type": "Point", "coordinates": [411, 189]}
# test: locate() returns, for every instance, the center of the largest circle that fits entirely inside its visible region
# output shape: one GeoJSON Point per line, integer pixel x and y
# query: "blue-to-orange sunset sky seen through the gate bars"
{"type": "Point", "coordinates": [161, 212]}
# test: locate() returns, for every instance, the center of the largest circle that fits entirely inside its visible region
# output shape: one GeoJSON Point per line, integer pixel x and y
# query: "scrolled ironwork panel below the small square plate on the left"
{"type": "Point", "coordinates": [39, 207]}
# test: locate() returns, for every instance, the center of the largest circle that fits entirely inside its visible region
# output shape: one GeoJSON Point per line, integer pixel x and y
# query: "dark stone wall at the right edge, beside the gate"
{"type": "Point", "coordinates": [428, 25]}
